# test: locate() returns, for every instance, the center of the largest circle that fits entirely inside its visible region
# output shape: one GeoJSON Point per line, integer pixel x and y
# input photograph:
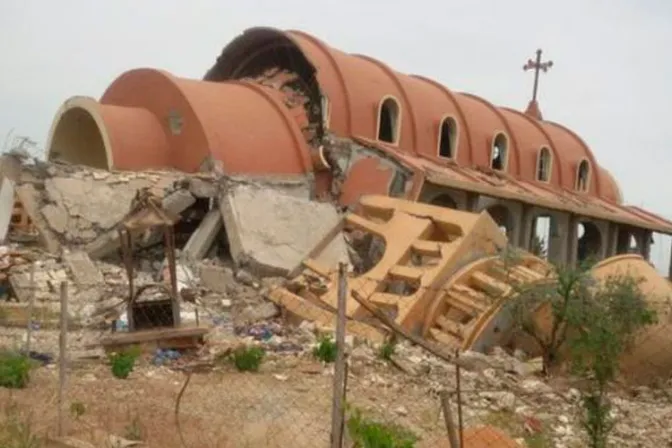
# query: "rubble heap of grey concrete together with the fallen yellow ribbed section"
{"type": "Point", "coordinates": [251, 254]}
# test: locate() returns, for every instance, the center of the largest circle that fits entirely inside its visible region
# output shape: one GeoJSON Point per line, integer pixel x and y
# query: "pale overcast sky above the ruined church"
{"type": "Point", "coordinates": [610, 81]}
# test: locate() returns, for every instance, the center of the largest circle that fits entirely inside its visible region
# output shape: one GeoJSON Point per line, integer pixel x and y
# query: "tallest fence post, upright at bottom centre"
{"type": "Point", "coordinates": [337, 417]}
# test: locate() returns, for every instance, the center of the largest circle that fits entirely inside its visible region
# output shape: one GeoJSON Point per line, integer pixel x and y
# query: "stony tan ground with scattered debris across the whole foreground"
{"type": "Point", "coordinates": [288, 402]}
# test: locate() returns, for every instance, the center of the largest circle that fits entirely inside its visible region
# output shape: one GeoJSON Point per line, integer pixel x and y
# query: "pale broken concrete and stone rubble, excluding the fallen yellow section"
{"type": "Point", "coordinates": [239, 238]}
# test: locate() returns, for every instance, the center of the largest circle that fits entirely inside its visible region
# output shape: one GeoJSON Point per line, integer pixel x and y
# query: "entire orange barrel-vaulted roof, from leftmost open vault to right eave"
{"type": "Point", "coordinates": [273, 96]}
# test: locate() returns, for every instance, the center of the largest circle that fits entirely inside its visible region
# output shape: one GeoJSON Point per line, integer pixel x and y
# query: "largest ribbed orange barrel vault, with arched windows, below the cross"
{"type": "Point", "coordinates": [356, 87]}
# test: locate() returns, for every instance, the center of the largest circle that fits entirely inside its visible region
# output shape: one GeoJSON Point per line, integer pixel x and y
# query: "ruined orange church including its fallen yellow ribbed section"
{"type": "Point", "coordinates": [285, 105]}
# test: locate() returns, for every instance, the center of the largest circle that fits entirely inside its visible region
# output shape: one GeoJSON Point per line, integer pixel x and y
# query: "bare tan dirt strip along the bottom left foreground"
{"type": "Point", "coordinates": [287, 404]}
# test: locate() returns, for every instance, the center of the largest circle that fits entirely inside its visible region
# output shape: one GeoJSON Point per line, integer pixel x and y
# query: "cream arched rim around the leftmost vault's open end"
{"type": "Point", "coordinates": [91, 108]}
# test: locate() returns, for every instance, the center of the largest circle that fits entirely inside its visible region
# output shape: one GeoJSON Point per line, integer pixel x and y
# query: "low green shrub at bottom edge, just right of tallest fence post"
{"type": "Point", "coordinates": [367, 433]}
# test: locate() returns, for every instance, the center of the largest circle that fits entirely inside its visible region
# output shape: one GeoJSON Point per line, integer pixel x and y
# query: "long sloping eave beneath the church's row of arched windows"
{"type": "Point", "coordinates": [622, 214]}
